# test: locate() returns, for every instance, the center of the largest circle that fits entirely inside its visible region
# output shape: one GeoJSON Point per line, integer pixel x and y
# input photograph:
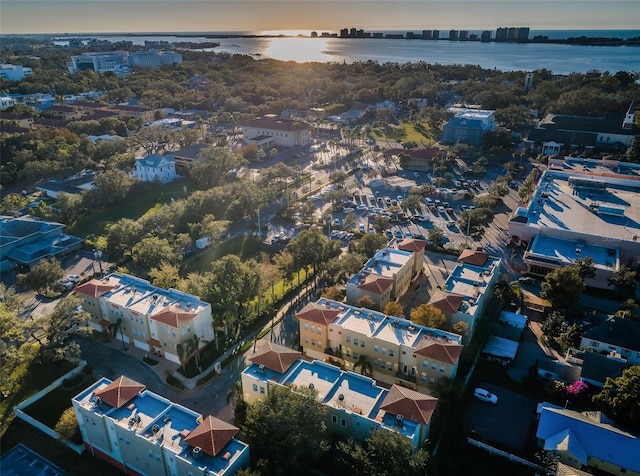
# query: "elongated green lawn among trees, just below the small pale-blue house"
{"type": "Point", "coordinates": [137, 204]}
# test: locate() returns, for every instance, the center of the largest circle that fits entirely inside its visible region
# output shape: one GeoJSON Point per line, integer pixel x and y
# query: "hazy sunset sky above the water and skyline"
{"type": "Point", "coordinates": [304, 16]}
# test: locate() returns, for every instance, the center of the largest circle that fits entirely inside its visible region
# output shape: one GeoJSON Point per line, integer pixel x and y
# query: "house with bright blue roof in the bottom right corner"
{"type": "Point", "coordinates": [588, 441]}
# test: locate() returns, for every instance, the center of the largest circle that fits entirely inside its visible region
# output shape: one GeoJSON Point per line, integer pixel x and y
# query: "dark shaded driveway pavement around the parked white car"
{"type": "Point", "coordinates": [507, 422]}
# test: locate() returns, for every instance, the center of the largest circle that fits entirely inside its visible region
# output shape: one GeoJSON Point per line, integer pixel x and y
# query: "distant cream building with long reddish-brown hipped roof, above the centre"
{"type": "Point", "coordinates": [271, 131]}
